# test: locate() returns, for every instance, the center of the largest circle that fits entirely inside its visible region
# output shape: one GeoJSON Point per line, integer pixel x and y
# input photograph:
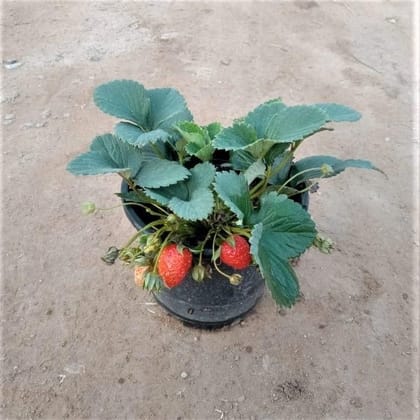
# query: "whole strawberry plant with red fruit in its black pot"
{"type": "Point", "coordinates": [219, 211]}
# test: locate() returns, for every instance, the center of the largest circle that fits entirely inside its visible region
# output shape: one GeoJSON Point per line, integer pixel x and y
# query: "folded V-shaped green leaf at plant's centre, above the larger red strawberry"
{"type": "Point", "coordinates": [191, 199]}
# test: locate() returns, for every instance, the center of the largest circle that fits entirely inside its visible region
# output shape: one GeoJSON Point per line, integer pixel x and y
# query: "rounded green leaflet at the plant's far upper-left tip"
{"type": "Point", "coordinates": [125, 99]}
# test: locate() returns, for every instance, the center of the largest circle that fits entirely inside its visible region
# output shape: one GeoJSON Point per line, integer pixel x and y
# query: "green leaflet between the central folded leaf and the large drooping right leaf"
{"type": "Point", "coordinates": [232, 188]}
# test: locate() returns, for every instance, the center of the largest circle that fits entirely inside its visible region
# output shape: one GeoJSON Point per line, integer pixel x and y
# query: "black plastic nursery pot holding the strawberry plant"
{"type": "Point", "coordinates": [215, 302]}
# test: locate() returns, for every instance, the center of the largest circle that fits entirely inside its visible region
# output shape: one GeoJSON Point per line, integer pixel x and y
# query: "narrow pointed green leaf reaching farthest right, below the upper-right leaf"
{"type": "Point", "coordinates": [338, 165]}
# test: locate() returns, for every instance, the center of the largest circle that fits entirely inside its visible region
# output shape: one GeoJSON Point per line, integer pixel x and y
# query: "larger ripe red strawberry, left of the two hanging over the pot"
{"type": "Point", "coordinates": [173, 265]}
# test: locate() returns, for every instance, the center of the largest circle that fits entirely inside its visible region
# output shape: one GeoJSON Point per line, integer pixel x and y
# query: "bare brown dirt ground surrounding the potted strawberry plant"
{"type": "Point", "coordinates": [79, 339]}
